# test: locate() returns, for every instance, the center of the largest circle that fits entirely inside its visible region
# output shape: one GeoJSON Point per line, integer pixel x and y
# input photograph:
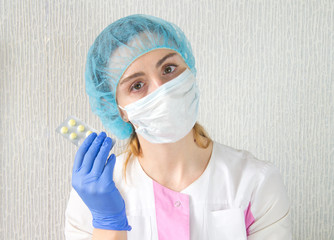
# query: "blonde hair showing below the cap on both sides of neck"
{"type": "Point", "coordinates": [133, 149]}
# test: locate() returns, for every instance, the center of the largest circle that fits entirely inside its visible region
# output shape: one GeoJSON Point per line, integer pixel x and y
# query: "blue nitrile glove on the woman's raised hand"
{"type": "Point", "coordinates": [93, 181]}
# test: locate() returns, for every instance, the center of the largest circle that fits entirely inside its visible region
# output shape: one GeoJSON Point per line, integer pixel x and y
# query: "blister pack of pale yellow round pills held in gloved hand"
{"type": "Point", "coordinates": [75, 130]}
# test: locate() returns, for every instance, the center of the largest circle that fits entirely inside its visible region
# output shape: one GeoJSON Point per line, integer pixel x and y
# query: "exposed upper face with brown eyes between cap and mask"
{"type": "Point", "coordinates": [146, 74]}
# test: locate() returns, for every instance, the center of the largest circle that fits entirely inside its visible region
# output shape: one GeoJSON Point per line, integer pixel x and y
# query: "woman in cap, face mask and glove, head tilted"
{"type": "Point", "coordinates": [173, 182]}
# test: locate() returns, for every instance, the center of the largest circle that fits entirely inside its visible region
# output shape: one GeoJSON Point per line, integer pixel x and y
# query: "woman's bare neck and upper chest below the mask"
{"type": "Point", "coordinates": [174, 165]}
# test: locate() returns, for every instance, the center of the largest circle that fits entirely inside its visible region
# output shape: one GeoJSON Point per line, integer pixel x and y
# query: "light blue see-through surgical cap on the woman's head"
{"type": "Point", "coordinates": [115, 48]}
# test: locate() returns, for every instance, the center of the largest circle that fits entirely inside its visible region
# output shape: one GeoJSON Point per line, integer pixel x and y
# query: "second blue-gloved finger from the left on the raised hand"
{"type": "Point", "coordinates": [92, 153]}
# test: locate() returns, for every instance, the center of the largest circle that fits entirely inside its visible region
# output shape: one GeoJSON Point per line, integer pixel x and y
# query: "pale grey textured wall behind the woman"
{"type": "Point", "coordinates": [265, 70]}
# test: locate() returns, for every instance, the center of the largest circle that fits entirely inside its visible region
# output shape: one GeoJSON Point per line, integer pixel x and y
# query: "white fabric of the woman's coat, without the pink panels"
{"type": "Point", "coordinates": [233, 180]}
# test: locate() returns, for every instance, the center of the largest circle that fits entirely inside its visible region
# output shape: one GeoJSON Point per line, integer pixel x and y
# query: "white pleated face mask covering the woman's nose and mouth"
{"type": "Point", "coordinates": [169, 113]}
